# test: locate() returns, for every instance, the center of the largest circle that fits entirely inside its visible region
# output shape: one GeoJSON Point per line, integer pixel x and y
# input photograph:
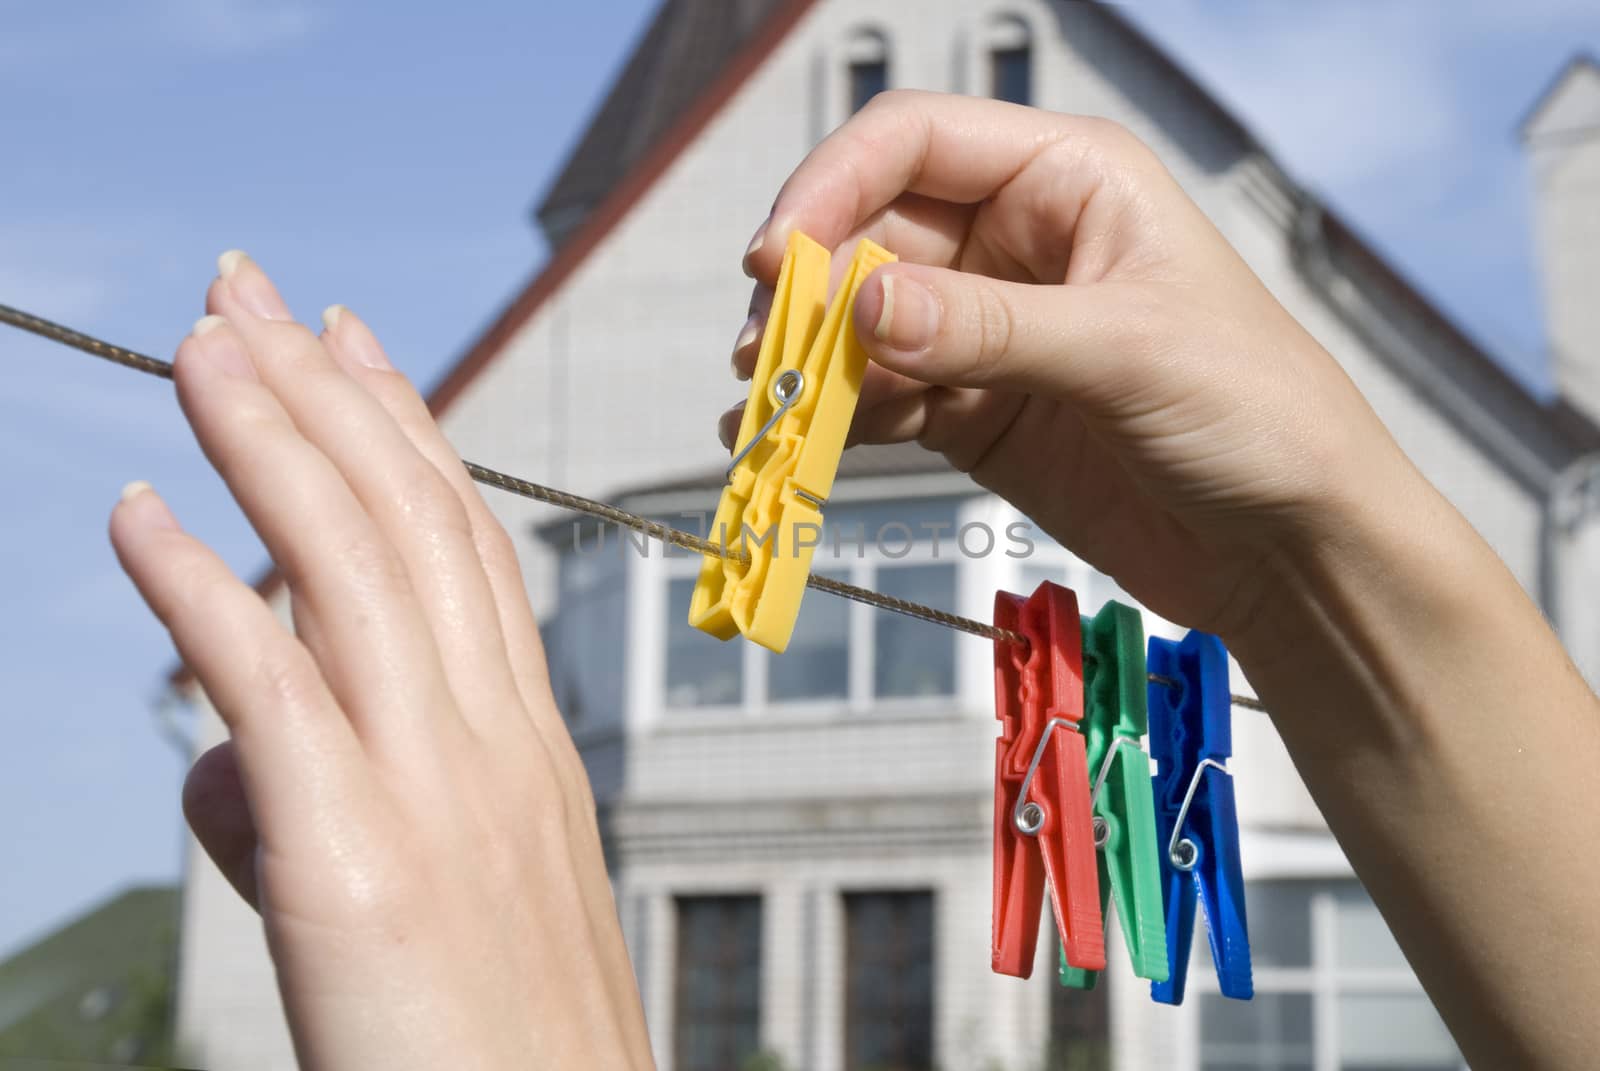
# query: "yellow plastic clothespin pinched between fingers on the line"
{"type": "Point", "coordinates": [802, 399]}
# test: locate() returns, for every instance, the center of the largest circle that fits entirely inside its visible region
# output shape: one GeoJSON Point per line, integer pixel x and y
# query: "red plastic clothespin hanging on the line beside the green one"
{"type": "Point", "coordinates": [1042, 787]}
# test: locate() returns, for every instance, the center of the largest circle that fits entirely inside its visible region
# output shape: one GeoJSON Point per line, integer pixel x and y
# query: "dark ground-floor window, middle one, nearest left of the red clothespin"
{"type": "Point", "coordinates": [889, 982]}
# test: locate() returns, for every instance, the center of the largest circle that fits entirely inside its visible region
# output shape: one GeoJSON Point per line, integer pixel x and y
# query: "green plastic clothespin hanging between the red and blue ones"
{"type": "Point", "coordinates": [1116, 718]}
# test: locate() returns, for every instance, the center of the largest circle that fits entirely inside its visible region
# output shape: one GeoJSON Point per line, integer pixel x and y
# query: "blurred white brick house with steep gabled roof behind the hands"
{"type": "Point", "coordinates": [801, 846]}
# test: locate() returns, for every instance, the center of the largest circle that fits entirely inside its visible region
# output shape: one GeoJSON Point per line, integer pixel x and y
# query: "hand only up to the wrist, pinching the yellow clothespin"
{"type": "Point", "coordinates": [1071, 329]}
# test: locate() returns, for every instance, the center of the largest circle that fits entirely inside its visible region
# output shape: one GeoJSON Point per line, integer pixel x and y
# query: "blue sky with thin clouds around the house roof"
{"type": "Point", "coordinates": [386, 156]}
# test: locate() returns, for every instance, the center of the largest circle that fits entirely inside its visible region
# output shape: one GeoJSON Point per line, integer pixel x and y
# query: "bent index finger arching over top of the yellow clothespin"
{"type": "Point", "coordinates": [948, 148]}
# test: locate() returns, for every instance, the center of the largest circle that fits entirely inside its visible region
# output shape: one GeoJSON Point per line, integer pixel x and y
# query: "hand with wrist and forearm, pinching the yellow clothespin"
{"type": "Point", "coordinates": [1068, 327]}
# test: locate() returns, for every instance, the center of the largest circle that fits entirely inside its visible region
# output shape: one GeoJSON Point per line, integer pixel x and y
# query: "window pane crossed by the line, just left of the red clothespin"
{"type": "Point", "coordinates": [916, 659]}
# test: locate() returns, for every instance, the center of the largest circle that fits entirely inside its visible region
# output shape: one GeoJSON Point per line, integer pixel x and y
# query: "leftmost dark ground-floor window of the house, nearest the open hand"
{"type": "Point", "coordinates": [718, 1008]}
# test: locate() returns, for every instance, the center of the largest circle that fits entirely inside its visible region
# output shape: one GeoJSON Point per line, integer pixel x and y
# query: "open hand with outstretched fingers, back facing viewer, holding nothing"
{"type": "Point", "coordinates": [399, 798]}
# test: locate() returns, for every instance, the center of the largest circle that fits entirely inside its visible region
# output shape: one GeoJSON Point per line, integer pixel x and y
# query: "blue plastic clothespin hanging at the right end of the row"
{"type": "Point", "coordinates": [1196, 819]}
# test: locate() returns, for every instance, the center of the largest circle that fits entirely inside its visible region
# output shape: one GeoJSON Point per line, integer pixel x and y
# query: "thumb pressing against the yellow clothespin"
{"type": "Point", "coordinates": [964, 331]}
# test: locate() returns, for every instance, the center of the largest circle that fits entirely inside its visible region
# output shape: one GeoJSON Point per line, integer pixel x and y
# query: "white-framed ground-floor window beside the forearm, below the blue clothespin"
{"type": "Point", "coordinates": [1322, 957]}
